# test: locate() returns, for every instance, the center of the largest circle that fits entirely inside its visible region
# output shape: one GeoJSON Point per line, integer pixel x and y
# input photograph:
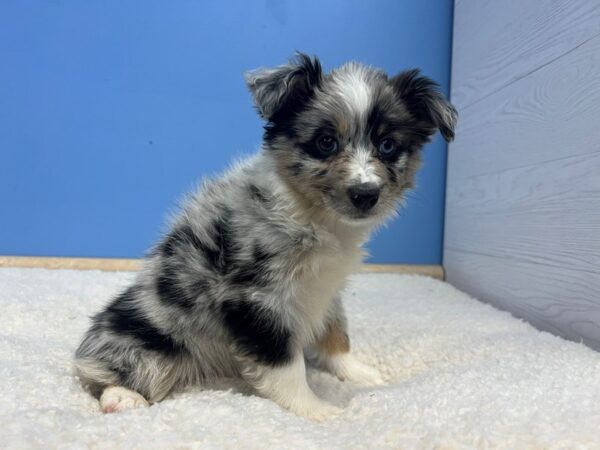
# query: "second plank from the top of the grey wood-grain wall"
{"type": "Point", "coordinates": [553, 113]}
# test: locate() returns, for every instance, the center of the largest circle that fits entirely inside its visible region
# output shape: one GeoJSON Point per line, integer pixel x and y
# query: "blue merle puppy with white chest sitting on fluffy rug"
{"type": "Point", "coordinates": [248, 279]}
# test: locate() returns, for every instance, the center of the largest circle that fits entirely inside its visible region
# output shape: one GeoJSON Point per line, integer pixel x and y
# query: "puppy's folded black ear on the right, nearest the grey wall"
{"type": "Point", "coordinates": [425, 101]}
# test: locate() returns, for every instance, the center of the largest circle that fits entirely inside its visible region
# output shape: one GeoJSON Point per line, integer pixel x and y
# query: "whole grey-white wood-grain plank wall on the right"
{"type": "Point", "coordinates": [522, 228]}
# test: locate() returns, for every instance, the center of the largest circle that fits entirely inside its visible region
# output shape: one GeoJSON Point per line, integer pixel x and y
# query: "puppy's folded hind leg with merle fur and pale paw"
{"type": "Point", "coordinates": [126, 360]}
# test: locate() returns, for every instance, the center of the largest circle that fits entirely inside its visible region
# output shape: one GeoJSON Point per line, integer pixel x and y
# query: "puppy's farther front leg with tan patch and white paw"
{"type": "Point", "coordinates": [333, 352]}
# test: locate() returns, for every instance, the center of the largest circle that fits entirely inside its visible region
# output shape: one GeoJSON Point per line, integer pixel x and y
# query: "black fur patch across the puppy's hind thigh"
{"type": "Point", "coordinates": [125, 318]}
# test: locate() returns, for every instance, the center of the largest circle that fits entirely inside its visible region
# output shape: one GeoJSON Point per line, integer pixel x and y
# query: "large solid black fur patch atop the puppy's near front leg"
{"type": "Point", "coordinates": [257, 332]}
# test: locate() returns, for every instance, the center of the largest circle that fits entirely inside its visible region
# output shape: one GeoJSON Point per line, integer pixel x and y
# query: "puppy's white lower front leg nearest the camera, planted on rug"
{"type": "Point", "coordinates": [286, 385]}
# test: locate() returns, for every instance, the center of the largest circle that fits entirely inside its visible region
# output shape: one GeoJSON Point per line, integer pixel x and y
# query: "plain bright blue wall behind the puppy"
{"type": "Point", "coordinates": [111, 110]}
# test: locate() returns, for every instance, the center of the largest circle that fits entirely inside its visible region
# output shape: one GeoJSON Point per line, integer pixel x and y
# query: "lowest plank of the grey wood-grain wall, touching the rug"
{"type": "Point", "coordinates": [562, 301]}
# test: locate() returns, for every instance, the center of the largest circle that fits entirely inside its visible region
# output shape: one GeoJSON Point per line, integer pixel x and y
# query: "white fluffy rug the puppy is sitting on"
{"type": "Point", "coordinates": [460, 374]}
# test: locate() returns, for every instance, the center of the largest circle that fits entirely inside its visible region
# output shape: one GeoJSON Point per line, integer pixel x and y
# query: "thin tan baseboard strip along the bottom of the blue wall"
{"type": "Point", "coordinates": [116, 264]}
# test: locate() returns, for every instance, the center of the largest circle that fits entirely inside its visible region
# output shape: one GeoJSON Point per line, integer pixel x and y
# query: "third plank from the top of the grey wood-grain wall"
{"type": "Point", "coordinates": [546, 213]}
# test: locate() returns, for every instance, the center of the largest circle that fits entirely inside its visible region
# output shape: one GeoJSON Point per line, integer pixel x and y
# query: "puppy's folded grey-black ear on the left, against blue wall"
{"type": "Point", "coordinates": [286, 88]}
